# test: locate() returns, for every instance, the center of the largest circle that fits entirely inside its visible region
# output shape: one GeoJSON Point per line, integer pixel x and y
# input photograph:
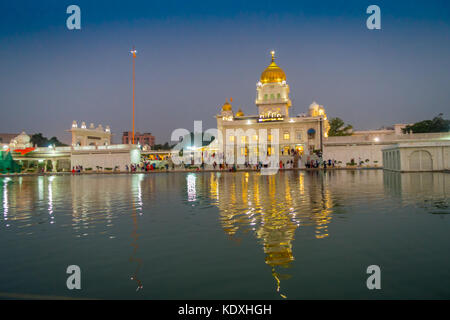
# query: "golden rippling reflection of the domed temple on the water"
{"type": "Point", "coordinates": [272, 207]}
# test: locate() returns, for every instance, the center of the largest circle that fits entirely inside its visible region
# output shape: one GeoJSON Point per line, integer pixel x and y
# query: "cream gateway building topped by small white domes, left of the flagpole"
{"type": "Point", "coordinates": [92, 136]}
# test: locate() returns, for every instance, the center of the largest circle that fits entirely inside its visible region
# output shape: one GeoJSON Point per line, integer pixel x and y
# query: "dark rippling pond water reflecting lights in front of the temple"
{"type": "Point", "coordinates": [293, 235]}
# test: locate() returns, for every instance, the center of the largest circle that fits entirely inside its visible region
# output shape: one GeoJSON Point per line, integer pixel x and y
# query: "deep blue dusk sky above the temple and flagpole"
{"type": "Point", "coordinates": [192, 55]}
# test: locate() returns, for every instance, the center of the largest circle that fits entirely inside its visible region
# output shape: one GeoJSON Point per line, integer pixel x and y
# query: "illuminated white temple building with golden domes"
{"type": "Point", "coordinates": [302, 133]}
